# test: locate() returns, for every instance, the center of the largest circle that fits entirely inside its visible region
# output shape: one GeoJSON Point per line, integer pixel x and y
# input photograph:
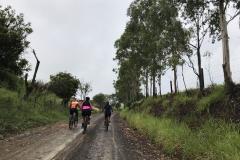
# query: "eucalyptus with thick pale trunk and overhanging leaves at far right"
{"type": "Point", "coordinates": [216, 21]}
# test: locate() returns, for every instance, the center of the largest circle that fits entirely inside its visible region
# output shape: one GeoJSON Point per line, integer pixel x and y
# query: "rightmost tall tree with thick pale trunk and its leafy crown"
{"type": "Point", "coordinates": [217, 23]}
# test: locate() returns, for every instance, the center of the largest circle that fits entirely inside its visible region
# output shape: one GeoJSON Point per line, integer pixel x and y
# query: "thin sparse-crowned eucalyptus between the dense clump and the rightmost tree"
{"type": "Point", "coordinates": [196, 15]}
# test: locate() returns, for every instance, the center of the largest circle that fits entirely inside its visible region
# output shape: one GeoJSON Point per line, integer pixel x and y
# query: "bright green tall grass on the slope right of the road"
{"type": "Point", "coordinates": [215, 140]}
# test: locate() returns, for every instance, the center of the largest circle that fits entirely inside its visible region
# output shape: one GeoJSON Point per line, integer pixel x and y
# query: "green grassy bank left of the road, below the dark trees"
{"type": "Point", "coordinates": [17, 115]}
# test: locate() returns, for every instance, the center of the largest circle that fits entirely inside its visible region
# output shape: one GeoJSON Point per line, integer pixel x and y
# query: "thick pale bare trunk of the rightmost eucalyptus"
{"type": "Point", "coordinates": [225, 46]}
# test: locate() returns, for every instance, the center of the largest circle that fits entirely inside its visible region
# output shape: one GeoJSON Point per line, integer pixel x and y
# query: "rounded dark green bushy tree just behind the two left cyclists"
{"type": "Point", "coordinates": [64, 85]}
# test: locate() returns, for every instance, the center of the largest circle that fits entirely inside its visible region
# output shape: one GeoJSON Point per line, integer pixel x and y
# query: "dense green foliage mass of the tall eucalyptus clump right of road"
{"type": "Point", "coordinates": [154, 39]}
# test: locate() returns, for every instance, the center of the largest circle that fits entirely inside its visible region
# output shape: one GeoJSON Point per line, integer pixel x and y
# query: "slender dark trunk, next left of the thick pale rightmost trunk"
{"type": "Point", "coordinates": [200, 73]}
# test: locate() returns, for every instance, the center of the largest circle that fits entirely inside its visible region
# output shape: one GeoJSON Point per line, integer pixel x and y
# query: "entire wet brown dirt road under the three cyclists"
{"type": "Point", "coordinates": [57, 142]}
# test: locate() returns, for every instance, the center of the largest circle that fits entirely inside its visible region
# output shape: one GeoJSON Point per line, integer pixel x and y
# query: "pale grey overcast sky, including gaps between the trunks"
{"type": "Point", "coordinates": [78, 36]}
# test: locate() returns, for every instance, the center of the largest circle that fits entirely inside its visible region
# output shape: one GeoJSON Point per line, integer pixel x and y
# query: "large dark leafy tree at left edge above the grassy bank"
{"type": "Point", "coordinates": [13, 41]}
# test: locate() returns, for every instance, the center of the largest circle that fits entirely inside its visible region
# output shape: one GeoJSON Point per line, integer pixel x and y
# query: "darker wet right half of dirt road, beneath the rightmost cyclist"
{"type": "Point", "coordinates": [118, 143]}
